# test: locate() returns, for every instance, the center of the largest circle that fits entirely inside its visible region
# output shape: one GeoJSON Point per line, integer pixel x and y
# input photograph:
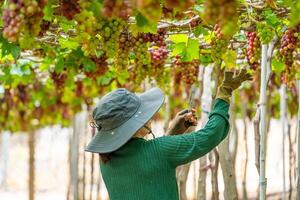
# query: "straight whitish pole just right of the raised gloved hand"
{"type": "Point", "coordinates": [262, 125]}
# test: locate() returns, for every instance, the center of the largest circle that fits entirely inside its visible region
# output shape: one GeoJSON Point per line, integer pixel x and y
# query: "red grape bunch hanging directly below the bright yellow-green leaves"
{"type": "Point", "coordinates": [188, 71]}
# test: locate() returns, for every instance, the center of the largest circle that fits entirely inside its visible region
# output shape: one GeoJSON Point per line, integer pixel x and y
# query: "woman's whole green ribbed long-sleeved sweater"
{"type": "Point", "coordinates": [145, 169]}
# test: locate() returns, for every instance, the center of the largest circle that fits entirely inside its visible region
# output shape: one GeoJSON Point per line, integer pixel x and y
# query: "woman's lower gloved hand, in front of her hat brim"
{"type": "Point", "coordinates": [183, 120]}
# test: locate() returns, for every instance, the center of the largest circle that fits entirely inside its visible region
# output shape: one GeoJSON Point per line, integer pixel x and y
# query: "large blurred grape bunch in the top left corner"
{"type": "Point", "coordinates": [22, 16]}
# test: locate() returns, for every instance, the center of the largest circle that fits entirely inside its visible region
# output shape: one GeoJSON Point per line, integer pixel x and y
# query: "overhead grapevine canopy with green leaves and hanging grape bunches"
{"type": "Point", "coordinates": [57, 55]}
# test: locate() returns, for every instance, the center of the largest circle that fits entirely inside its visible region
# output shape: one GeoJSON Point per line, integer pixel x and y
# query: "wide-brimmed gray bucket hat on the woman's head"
{"type": "Point", "coordinates": [119, 114]}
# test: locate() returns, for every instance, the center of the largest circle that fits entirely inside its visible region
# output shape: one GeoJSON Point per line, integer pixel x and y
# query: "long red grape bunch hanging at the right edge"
{"type": "Point", "coordinates": [289, 42]}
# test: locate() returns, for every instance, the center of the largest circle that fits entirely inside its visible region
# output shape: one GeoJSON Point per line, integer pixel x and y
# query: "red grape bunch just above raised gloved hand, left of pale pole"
{"type": "Point", "coordinates": [253, 49]}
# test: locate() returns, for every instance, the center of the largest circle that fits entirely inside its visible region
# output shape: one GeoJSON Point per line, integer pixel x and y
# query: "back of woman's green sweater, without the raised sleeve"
{"type": "Point", "coordinates": [137, 171]}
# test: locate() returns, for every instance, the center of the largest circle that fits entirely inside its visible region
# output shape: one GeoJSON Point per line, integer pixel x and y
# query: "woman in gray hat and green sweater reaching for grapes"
{"type": "Point", "coordinates": [137, 169]}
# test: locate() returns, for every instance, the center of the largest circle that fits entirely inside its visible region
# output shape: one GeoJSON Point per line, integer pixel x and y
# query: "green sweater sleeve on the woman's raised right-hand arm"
{"type": "Point", "coordinates": [181, 149]}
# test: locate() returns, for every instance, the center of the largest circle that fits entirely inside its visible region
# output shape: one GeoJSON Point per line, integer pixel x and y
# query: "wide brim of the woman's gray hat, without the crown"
{"type": "Point", "coordinates": [108, 141]}
